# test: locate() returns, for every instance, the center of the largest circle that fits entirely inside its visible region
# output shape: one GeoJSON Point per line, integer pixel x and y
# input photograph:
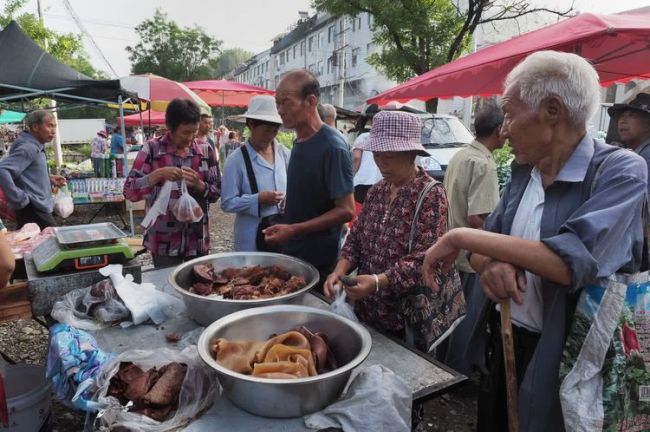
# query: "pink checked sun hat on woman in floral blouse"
{"type": "Point", "coordinates": [396, 131]}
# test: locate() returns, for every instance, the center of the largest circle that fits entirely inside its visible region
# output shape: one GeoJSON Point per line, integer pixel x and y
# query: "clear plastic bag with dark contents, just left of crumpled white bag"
{"type": "Point", "coordinates": [92, 308]}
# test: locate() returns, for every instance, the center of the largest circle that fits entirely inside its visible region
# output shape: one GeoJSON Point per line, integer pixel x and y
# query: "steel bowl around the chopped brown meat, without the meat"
{"type": "Point", "coordinates": [206, 310]}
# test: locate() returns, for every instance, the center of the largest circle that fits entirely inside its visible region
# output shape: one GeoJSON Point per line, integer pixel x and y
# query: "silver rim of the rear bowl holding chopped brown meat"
{"type": "Point", "coordinates": [252, 303]}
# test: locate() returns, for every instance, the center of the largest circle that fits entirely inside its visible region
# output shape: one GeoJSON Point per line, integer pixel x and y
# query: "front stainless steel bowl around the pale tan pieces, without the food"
{"type": "Point", "coordinates": [350, 342]}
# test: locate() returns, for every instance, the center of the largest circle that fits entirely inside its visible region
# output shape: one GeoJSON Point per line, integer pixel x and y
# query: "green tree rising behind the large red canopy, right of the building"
{"type": "Point", "coordinates": [418, 35]}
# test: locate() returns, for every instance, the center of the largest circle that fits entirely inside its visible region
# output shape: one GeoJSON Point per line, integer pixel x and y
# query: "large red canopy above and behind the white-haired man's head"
{"type": "Point", "coordinates": [617, 45]}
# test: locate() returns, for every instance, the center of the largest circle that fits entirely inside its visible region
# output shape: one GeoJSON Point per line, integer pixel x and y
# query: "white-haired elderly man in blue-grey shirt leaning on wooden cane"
{"type": "Point", "coordinates": [565, 219]}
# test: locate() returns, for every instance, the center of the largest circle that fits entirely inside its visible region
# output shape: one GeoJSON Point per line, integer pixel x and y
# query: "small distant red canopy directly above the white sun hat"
{"type": "Point", "coordinates": [226, 93]}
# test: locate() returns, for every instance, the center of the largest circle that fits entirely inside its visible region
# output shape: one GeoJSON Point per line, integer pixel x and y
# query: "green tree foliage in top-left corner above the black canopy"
{"type": "Point", "coordinates": [65, 47]}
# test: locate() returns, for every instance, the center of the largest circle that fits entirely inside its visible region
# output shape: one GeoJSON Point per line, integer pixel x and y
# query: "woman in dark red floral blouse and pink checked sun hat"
{"type": "Point", "coordinates": [403, 214]}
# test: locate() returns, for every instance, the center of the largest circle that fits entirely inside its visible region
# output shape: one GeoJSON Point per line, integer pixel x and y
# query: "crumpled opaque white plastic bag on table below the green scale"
{"type": "Point", "coordinates": [144, 301]}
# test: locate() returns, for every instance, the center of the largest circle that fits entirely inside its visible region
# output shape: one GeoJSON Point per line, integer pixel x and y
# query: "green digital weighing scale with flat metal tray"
{"type": "Point", "coordinates": [81, 247]}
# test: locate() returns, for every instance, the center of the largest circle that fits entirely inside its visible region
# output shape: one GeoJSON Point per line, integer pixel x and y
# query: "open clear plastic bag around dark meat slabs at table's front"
{"type": "Point", "coordinates": [197, 393]}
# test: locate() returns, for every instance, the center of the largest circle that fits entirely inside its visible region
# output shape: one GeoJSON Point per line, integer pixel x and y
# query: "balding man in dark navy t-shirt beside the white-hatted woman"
{"type": "Point", "coordinates": [319, 182]}
